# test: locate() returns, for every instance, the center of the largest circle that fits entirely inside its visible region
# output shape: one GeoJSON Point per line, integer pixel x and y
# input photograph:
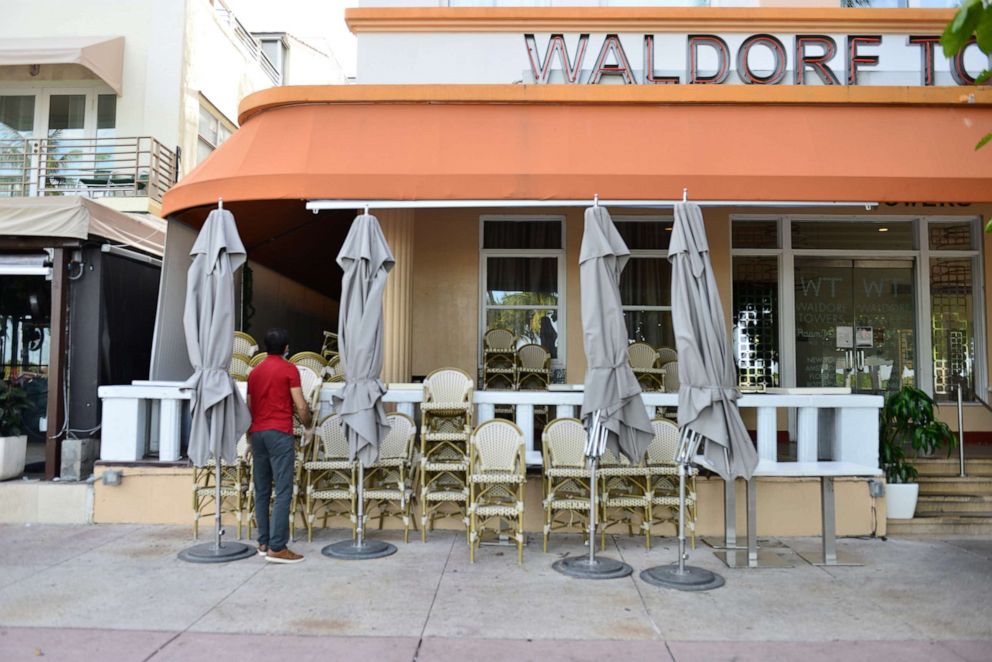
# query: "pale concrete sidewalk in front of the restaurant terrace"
{"type": "Point", "coordinates": [119, 593]}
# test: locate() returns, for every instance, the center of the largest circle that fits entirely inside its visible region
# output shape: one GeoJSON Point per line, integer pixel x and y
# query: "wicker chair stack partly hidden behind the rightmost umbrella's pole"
{"type": "Point", "coordinates": [663, 484]}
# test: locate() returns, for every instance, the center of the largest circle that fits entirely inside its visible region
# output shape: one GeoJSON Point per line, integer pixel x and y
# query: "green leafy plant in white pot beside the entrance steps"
{"type": "Point", "coordinates": [907, 421]}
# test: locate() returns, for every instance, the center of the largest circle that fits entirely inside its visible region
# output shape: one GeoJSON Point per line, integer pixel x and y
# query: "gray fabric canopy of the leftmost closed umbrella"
{"type": "Point", "coordinates": [219, 414]}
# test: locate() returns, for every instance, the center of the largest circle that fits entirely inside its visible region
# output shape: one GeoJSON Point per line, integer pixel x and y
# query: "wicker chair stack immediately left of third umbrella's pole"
{"type": "Point", "coordinates": [566, 477]}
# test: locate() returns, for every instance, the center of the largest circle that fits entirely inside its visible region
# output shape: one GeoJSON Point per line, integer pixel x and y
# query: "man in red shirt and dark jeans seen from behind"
{"type": "Point", "coordinates": [273, 393]}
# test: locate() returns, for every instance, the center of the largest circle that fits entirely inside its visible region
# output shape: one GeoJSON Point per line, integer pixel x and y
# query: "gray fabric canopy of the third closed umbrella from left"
{"type": "Point", "coordinates": [610, 385]}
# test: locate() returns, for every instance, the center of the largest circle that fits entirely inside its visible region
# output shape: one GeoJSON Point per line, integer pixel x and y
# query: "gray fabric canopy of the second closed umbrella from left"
{"type": "Point", "coordinates": [366, 261]}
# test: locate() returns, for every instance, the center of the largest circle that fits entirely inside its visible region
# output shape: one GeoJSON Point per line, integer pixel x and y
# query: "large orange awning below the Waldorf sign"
{"type": "Point", "coordinates": [633, 143]}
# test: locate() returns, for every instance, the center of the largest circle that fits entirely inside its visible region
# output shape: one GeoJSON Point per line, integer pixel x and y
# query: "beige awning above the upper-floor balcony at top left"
{"type": "Point", "coordinates": [104, 56]}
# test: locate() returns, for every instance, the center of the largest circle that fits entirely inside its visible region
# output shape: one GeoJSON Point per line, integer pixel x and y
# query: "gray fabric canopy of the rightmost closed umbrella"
{"type": "Point", "coordinates": [708, 393]}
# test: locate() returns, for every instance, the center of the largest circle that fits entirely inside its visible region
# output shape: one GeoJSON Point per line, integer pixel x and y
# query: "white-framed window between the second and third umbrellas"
{"type": "Point", "coordinates": [522, 266]}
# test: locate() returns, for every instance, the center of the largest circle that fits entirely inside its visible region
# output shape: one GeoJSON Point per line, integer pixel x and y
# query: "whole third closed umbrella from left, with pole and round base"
{"type": "Point", "coordinates": [612, 408]}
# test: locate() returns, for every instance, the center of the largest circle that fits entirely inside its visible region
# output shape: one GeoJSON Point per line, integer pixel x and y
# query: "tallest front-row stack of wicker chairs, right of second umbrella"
{"type": "Point", "coordinates": [446, 423]}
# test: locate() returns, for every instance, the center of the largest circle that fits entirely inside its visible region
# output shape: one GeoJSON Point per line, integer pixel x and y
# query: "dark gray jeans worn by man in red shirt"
{"type": "Point", "coordinates": [273, 453]}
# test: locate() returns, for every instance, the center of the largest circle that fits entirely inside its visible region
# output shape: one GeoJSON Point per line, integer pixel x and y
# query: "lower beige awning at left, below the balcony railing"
{"type": "Point", "coordinates": [80, 218]}
